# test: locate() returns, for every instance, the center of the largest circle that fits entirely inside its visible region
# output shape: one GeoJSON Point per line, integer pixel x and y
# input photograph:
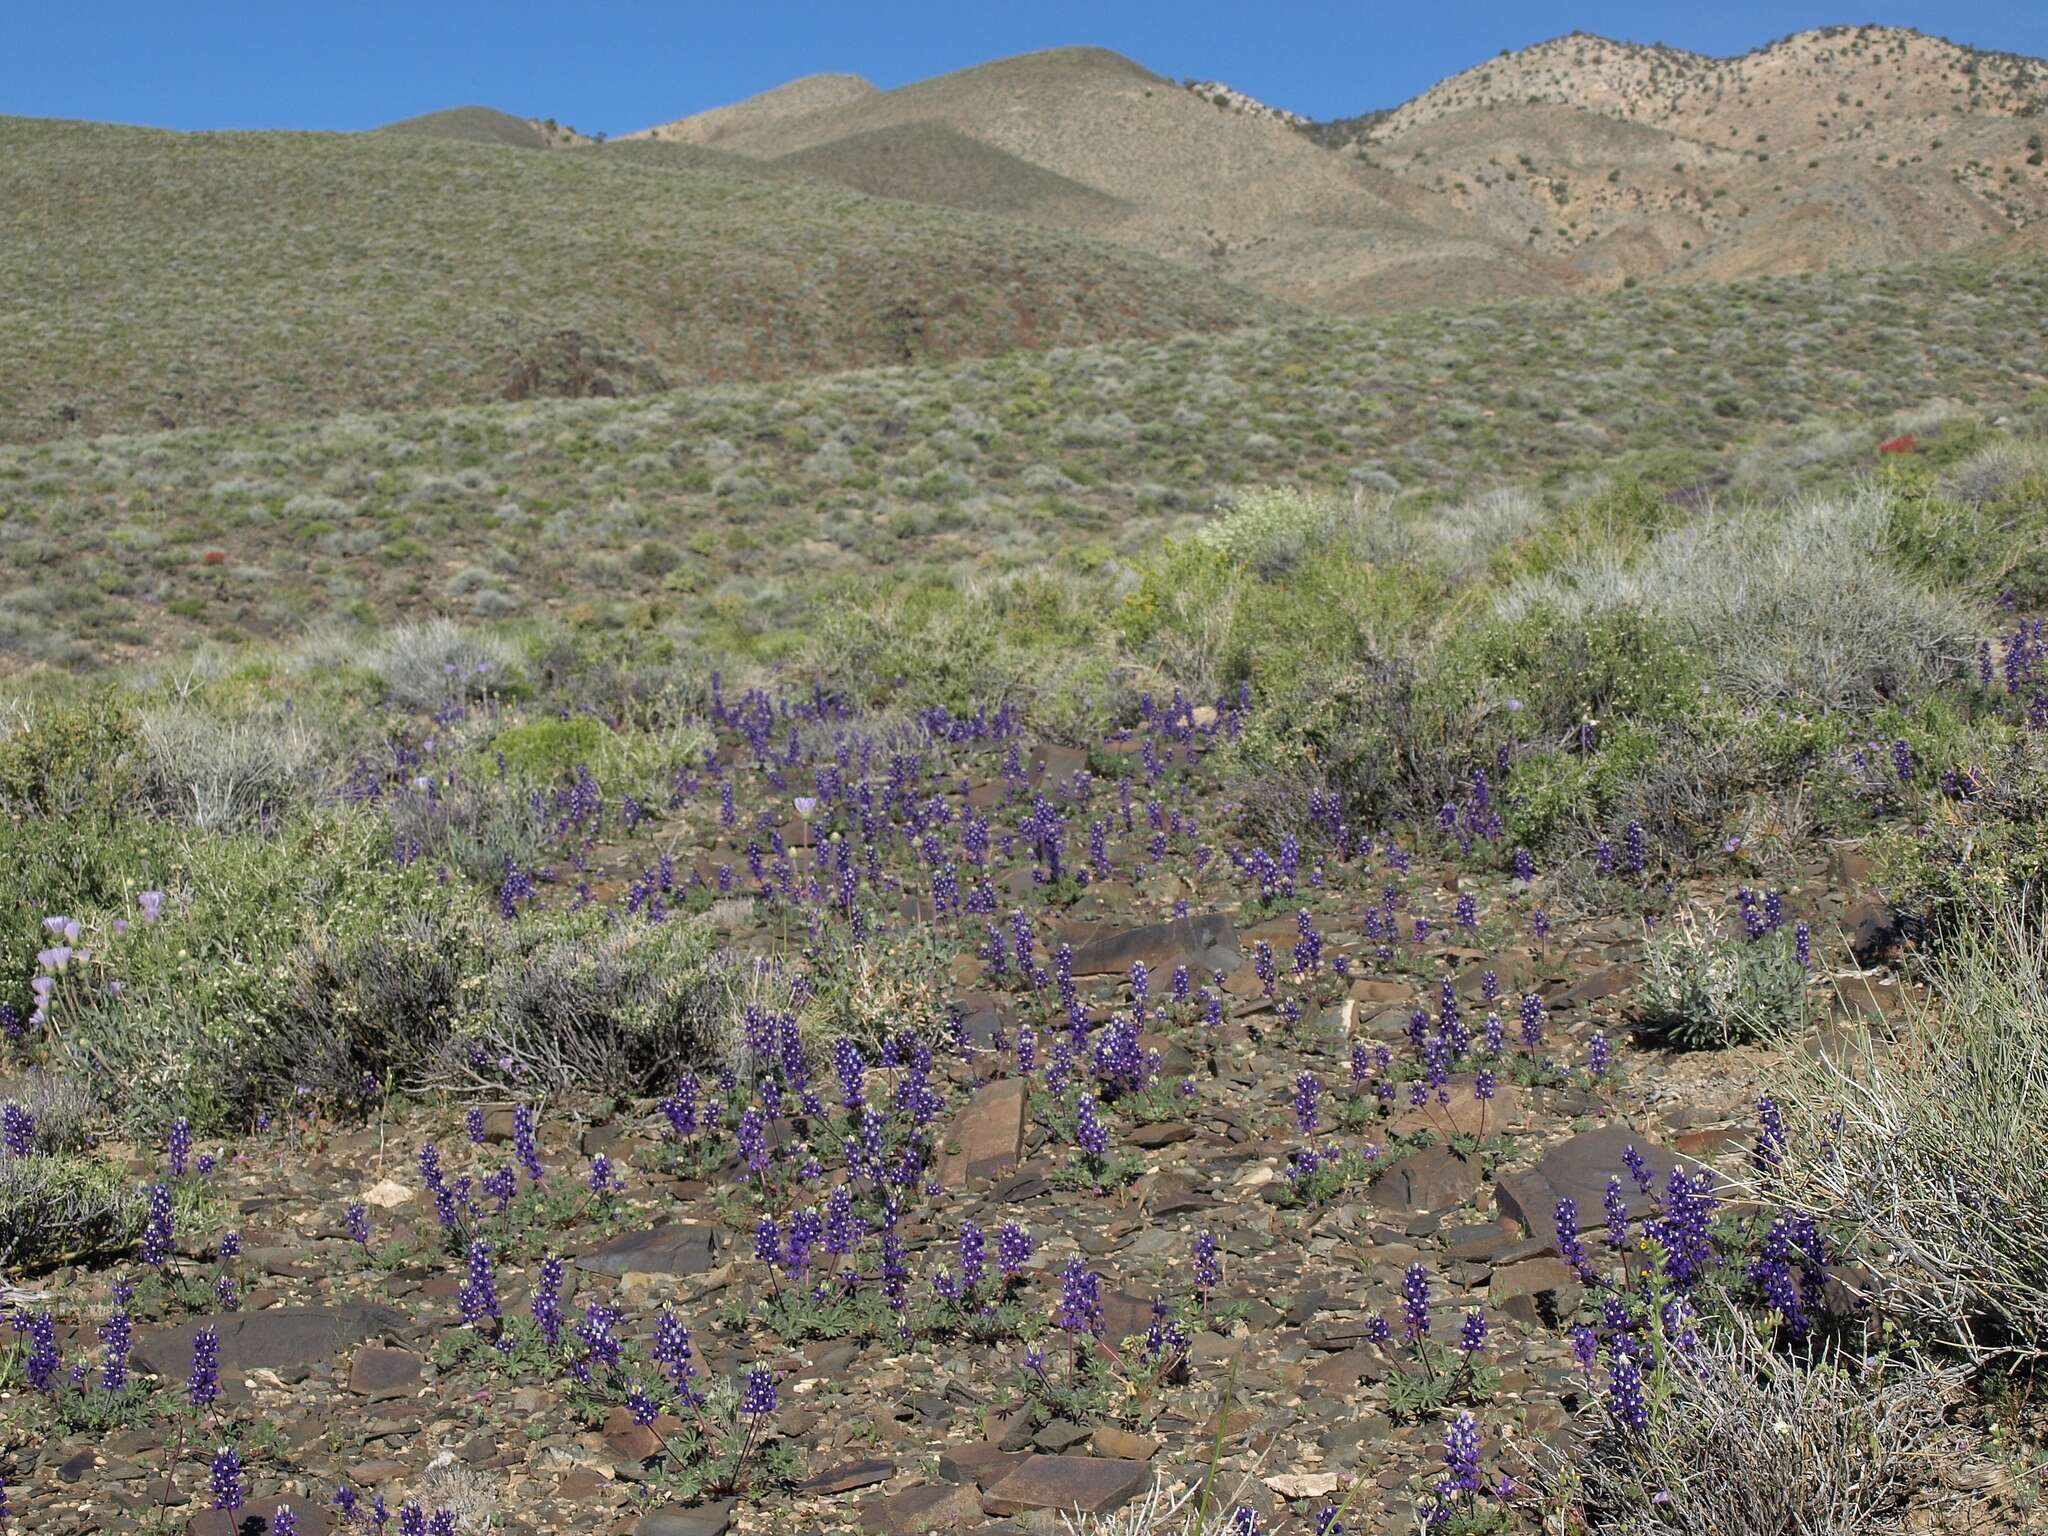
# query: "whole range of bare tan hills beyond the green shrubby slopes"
{"type": "Point", "coordinates": [1576, 163]}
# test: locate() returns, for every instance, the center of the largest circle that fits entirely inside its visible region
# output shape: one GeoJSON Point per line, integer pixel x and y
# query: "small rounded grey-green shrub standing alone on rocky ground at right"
{"type": "Point", "coordinates": [1705, 990]}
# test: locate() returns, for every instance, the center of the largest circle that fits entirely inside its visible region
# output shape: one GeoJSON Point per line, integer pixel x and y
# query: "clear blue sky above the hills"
{"type": "Point", "coordinates": [628, 65]}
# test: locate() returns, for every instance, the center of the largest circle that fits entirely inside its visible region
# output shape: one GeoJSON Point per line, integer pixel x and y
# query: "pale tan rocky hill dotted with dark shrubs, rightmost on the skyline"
{"type": "Point", "coordinates": [1838, 148]}
